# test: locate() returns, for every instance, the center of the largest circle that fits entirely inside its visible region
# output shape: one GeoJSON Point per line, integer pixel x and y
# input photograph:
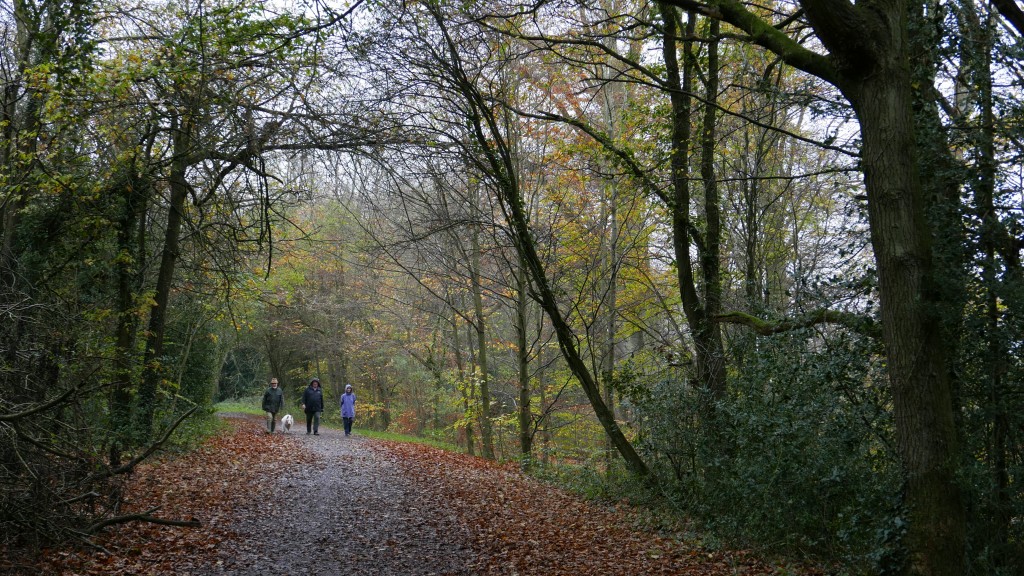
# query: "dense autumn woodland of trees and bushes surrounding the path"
{"type": "Point", "coordinates": [762, 261]}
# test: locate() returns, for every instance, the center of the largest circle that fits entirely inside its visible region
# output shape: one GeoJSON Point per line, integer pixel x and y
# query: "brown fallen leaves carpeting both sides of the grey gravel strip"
{"type": "Point", "coordinates": [517, 525]}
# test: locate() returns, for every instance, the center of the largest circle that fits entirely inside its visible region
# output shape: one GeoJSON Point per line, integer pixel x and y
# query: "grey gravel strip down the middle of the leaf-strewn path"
{"type": "Point", "coordinates": [349, 512]}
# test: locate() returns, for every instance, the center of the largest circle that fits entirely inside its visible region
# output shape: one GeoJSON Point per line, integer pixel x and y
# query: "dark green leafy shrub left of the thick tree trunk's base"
{"type": "Point", "coordinates": [796, 458]}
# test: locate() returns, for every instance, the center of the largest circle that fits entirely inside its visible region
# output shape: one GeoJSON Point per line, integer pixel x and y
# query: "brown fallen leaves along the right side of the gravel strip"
{"type": "Point", "coordinates": [524, 526]}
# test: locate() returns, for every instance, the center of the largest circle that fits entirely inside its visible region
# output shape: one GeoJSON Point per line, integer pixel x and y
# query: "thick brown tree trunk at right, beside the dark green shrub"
{"type": "Point", "coordinates": [911, 306]}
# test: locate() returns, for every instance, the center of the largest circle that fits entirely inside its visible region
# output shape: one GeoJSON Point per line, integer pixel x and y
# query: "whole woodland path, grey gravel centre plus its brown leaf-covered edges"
{"type": "Point", "coordinates": [290, 504]}
